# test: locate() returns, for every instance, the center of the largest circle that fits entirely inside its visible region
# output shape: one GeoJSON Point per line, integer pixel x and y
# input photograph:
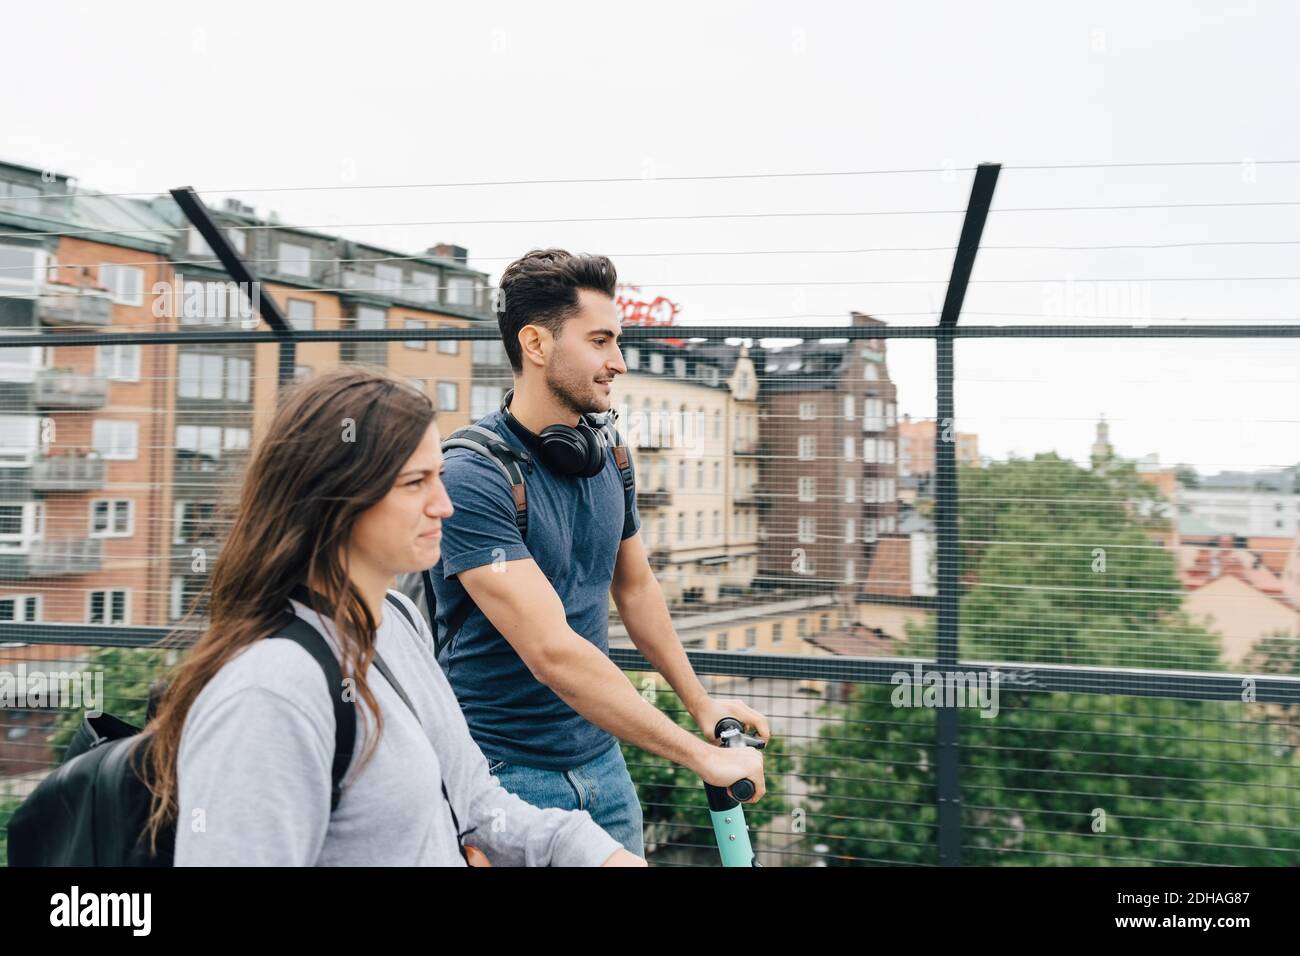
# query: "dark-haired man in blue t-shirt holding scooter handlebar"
{"type": "Point", "coordinates": [531, 664]}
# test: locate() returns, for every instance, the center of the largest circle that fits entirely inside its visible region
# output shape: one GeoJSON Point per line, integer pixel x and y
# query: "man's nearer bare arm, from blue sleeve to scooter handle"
{"type": "Point", "coordinates": [525, 608]}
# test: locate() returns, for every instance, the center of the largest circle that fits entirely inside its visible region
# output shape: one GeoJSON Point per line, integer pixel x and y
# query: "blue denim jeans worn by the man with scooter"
{"type": "Point", "coordinates": [603, 788]}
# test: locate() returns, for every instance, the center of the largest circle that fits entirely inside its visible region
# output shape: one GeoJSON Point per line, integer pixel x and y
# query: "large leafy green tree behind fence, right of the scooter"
{"type": "Point", "coordinates": [1060, 566]}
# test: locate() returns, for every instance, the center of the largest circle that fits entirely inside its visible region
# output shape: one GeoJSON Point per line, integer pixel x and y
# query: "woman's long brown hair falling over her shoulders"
{"type": "Point", "coordinates": [333, 451]}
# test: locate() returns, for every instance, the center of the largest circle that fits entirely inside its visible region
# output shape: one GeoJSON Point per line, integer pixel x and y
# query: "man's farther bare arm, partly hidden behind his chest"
{"type": "Point", "coordinates": [645, 616]}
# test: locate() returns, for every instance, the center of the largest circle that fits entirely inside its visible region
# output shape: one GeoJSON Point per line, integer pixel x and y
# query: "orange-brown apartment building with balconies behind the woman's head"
{"type": "Point", "coordinates": [114, 457]}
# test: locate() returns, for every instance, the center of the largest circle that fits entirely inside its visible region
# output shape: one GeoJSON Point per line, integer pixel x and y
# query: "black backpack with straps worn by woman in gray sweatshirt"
{"type": "Point", "coordinates": [93, 811]}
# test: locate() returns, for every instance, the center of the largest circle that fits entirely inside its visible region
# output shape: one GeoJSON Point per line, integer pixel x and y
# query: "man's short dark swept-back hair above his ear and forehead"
{"type": "Point", "coordinates": [541, 289]}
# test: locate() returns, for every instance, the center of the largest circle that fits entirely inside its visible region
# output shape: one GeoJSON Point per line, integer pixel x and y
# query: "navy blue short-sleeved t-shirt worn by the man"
{"type": "Point", "coordinates": [575, 527]}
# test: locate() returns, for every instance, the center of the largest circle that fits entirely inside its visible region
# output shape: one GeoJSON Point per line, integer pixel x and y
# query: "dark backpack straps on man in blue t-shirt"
{"type": "Point", "coordinates": [491, 445]}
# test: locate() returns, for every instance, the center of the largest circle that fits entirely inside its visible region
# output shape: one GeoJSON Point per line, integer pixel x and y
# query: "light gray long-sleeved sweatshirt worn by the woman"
{"type": "Point", "coordinates": [255, 771]}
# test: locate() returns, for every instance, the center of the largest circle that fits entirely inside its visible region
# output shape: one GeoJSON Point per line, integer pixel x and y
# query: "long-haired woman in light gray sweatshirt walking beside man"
{"type": "Point", "coordinates": [341, 496]}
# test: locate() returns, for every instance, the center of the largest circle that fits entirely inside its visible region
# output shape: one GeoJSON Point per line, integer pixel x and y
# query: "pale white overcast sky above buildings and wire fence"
{"type": "Point", "coordinates": [233, 98]}
